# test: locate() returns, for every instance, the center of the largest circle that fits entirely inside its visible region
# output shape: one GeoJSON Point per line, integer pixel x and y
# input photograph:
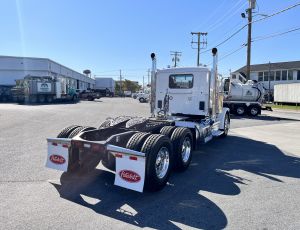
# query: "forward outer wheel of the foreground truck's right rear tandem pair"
{"type": "Point", "coordinates": [182, 139]}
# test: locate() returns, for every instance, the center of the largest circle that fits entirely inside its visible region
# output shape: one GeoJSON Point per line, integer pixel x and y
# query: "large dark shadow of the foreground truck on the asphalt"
{"type": "Point", "coordinates": [182, 201]}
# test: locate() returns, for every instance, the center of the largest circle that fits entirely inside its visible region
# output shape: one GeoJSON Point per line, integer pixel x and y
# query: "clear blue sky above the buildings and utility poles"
{"type": "Point", "coordinates": [105, 36]}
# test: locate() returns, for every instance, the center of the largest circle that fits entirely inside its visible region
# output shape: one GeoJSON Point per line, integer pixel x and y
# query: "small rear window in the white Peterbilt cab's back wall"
{"type": "Point", "coordinates": [181, 81]}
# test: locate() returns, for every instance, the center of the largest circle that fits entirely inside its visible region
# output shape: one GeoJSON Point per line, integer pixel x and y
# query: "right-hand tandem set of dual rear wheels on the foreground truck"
{"type": "Point", "coordinates": [170, 149]}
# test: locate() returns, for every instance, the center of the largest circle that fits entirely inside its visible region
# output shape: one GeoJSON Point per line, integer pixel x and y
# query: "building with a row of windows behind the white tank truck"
{"type": "Point", "coordinates": [273, 73]}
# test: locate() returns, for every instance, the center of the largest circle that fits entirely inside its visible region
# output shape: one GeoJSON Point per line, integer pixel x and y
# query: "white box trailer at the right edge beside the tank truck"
{"type": "Point", "coordinates": [287, 93]}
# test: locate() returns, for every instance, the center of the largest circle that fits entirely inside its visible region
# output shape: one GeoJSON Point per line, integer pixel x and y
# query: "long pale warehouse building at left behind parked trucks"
{"type": "Point", "coordinates": [15, 68]}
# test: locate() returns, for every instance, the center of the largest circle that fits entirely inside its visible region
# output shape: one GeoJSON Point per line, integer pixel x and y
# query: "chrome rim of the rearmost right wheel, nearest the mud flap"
{"type": "Point", "coordinates": [162, 162]}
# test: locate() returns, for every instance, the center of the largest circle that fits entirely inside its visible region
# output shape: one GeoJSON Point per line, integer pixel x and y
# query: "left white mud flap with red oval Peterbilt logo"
{"type": "Point", "coordinates": [58, 153]}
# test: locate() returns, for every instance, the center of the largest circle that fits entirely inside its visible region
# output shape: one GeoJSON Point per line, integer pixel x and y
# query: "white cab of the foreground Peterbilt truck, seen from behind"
{"type": "Point", "coordinates": [187, 91]}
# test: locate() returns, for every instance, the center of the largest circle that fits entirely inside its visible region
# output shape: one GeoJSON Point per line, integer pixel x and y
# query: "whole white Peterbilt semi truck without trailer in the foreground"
{"type": "Point", "coordinates": [186, 111]}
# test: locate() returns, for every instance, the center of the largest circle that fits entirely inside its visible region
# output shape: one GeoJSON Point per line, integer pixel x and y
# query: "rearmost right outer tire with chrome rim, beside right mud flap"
{"type": "Point", "coordinates": [158, 150]}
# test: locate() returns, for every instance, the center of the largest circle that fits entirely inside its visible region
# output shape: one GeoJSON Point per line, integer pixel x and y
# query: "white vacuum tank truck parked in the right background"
{"type": "Point", "coordinates": [242, 96]}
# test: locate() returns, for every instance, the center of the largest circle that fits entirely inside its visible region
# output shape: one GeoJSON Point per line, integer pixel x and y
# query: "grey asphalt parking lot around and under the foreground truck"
{"type": "Point", "coordinates": [249, 180]}
